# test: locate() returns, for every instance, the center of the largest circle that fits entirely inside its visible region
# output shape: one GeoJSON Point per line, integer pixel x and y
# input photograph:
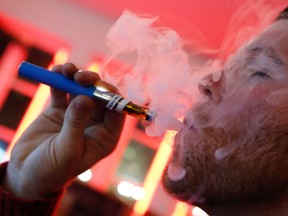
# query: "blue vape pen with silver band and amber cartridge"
{"type": "Point", "coordinates": [111, 100]}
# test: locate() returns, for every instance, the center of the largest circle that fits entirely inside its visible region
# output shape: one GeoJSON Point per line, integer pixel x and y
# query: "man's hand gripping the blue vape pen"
{"type": "Point", "coordinates": [69, 137]}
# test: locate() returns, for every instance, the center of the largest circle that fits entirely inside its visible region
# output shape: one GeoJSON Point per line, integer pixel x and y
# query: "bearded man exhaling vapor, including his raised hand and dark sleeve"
{"type": "Point", "coordinates": [230, 158]}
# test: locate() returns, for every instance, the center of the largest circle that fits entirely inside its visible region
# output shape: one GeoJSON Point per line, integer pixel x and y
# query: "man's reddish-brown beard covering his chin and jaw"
{"type": "Point", "coordinates": [253, 165]}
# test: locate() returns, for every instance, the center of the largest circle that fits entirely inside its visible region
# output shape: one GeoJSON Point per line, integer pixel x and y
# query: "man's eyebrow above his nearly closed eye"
{"type": "Point", "coordinates": [269, 52]}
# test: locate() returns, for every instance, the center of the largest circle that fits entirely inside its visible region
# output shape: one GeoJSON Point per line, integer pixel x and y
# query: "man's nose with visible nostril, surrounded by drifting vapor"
{"type": "Point", "coordinates": [212, 86]}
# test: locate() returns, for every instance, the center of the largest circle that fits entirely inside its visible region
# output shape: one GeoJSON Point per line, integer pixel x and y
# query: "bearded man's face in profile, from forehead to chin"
{"type": "Point", "coordinates": [234, 146]}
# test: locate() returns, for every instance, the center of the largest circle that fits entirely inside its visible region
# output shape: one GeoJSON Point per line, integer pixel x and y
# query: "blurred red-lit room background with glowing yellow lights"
{"type": "Point", "coordinates": [58, 31]}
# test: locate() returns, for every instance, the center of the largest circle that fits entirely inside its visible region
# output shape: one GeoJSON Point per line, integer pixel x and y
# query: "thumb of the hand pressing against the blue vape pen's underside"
{"type": "Point", "coordinates": [76, 119]}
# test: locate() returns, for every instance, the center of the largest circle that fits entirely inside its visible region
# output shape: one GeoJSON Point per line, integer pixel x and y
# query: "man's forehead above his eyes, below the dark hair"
{"type": "Point", "coordinates": [266, 52]}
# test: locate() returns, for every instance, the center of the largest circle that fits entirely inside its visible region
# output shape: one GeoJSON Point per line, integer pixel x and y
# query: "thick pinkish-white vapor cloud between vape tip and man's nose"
{"type": "Point", "coordinates": [161, 77]}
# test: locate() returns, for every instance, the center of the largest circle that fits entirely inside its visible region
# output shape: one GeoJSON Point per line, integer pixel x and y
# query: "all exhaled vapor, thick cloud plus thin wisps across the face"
{"type": "Point", "coordinates": [163, 78]}
